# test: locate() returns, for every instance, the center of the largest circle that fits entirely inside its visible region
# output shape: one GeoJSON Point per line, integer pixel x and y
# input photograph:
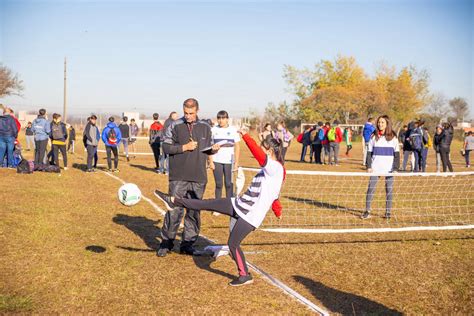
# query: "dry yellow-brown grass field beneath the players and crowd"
{"type": "Point", "coordinates": [49, 224]}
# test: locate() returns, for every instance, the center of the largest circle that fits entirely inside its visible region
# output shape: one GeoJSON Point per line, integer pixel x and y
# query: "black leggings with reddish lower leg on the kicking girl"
{"type": "Point", "coordinates": [239, 232]}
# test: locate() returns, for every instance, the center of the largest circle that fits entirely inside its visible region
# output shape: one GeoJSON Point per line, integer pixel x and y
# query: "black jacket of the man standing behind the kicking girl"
{"type": "Point", "coordinates": [189, 165]}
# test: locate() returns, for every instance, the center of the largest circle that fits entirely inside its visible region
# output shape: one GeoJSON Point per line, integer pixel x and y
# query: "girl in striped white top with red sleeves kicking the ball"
{"type": "Point", "coordinates": [250, 209]}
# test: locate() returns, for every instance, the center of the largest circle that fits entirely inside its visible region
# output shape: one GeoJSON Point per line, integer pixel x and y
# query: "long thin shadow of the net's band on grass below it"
{"type": "Point", "coordinates": [354, 241]}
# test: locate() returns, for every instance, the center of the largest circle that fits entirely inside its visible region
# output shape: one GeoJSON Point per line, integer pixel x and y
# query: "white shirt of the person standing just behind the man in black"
{"type": "Point", "coordinates": [229, 134]}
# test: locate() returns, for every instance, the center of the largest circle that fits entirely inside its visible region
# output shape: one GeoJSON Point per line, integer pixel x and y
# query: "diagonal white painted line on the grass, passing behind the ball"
{"type": "Point", "coordinates": [266, 276]}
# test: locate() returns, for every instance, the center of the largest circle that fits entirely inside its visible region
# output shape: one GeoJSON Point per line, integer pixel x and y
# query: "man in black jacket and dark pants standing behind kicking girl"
{"type": "Point", "coordinates": [184, 141]}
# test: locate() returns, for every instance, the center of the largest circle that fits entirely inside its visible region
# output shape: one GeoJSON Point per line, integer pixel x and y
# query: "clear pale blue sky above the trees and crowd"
{"type": "Point", "coordinates": [151, 55]}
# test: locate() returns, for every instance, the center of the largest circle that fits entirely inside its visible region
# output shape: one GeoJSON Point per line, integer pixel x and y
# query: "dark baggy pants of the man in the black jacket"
{"type": "Point", "coordinates": [192, 219]}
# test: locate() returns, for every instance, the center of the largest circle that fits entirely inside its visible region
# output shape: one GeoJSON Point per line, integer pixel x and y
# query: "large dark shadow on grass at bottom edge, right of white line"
{"type": "Point", "coordinates": [342, 302]}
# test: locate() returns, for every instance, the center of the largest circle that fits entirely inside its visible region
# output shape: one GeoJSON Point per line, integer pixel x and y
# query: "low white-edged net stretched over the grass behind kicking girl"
{"type": "Point", "coordinates": [333, 202]}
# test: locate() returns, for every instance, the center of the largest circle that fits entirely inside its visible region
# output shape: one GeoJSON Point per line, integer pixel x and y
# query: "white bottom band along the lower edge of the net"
{"type": "Point", "coordinates": [364, 230]}
